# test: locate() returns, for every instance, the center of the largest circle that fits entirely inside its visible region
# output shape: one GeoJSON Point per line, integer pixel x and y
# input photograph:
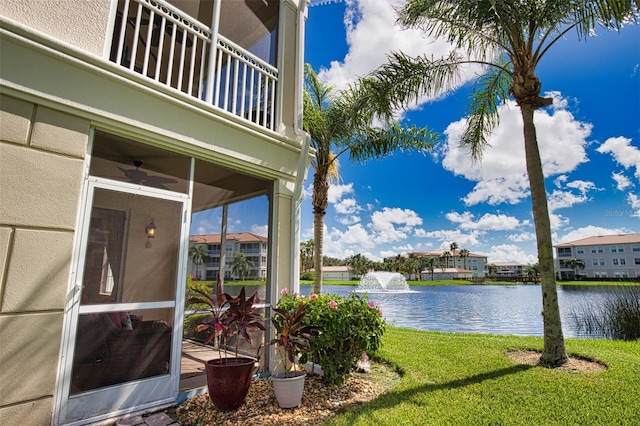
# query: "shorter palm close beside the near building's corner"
{"type": "Point", "coordinates": [341, 124]}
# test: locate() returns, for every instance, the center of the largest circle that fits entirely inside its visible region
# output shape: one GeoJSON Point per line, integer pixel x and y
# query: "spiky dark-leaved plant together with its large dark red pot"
{"type": "Point", "coordinates": [228, 377]}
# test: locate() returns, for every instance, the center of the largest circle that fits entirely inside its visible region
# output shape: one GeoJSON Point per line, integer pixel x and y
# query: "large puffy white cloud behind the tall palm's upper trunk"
{"type": "Point", "coordinates": [502, 175]}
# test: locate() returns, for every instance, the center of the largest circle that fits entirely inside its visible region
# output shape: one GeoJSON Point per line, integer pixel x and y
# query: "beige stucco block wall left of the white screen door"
{"type": "Point", "coordinates": [42, 153]}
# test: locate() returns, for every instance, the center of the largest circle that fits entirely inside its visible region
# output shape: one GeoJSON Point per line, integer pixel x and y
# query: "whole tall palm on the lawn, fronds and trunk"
{"type": "Point", "coordinates": [508, 39]}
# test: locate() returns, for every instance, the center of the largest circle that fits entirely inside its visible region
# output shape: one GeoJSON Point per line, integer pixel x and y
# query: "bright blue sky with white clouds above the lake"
{"type": "Point", "coordinates": [589, 142]}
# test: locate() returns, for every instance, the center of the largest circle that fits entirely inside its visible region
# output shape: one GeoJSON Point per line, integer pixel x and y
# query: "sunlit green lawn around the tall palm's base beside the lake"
{"type": "Point", "coordinates": [466, 379]}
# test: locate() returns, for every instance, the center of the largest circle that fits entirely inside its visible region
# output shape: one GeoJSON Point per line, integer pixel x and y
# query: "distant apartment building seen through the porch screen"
{"type": "Point", "coordinates": [252, 246]}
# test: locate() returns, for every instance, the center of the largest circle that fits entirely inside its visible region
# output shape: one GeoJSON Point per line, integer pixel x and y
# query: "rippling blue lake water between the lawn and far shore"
{"type": "Point", "coordinates": [493, 309]}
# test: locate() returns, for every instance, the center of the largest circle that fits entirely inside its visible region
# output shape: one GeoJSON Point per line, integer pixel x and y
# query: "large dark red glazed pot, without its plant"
{"type": "Point", "coordinates": [228, 380]}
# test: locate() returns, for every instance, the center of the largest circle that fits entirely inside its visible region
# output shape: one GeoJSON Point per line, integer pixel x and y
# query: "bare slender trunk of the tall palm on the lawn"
{"type": "Point", "coordinates": [554, 352]}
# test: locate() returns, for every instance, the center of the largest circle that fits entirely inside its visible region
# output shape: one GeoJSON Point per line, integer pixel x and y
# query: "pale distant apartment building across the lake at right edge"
{"type": "Point", "coordinates": [605, 256]}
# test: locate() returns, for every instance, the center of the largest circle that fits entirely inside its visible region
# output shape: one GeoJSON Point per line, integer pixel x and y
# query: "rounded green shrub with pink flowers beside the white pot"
{"type": "Point", "coordinates": [350, 326]}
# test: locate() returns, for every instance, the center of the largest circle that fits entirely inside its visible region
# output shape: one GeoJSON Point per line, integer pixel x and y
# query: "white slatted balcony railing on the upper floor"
{"type": "Point", "coordinates": [158, 41]}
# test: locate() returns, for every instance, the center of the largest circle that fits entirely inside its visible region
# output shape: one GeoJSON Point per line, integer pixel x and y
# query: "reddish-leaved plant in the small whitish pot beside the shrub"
{"type": "Point", "coordinates": [292, 338]}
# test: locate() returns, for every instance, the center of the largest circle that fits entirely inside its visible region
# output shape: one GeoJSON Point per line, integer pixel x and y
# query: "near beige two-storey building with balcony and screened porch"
{"type": "Point", "coordinates": [120, 119]}
